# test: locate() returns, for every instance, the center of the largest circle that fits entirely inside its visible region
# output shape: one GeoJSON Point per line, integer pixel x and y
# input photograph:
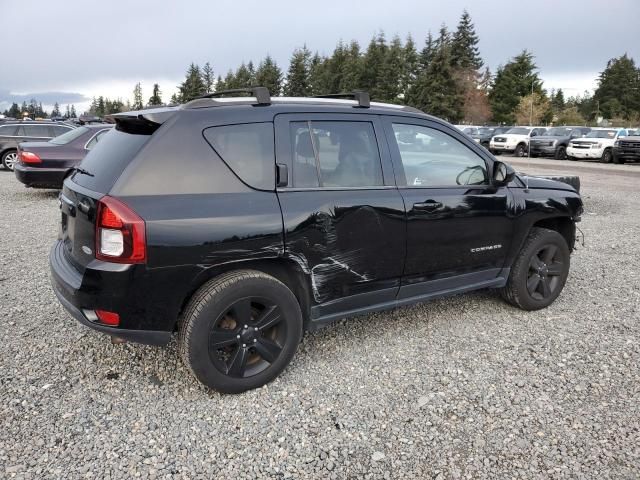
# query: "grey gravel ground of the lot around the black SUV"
{"type": "Point", "coordinates": [464, 387]}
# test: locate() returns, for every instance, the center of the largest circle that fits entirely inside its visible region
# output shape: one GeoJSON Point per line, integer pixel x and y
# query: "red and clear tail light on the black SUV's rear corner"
{"type": "Point", "coordinates": [120, 233]}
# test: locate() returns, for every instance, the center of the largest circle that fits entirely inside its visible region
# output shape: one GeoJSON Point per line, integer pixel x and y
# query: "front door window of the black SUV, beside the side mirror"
{"type": "Point", "coordinates": [432, 158]}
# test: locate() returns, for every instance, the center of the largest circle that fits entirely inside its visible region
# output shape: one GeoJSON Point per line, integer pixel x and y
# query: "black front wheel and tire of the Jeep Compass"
{"type": "Point", "coordinates": [531, 284]}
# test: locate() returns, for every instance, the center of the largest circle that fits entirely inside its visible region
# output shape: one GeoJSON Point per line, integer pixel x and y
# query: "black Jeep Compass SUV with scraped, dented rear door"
{"type": "Point", "coordinates": [242, 222]}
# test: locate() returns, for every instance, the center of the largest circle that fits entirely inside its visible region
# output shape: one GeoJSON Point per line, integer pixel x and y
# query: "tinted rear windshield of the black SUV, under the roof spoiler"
{"type": "Point", "coordinates": [108, 159]}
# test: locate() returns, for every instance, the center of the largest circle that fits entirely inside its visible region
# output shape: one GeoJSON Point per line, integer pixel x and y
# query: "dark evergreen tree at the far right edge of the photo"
{"type": "Point", "coordinates": [618, 92]}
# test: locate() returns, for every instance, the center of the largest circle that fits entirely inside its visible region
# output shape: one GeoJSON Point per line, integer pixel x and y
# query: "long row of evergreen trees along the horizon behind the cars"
{"type": "Point", "coordinates": [445, 76]}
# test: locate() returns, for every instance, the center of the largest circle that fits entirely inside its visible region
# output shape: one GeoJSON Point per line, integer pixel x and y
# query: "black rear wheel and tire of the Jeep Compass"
{"type": "Point", "coordinates": [256, 322]}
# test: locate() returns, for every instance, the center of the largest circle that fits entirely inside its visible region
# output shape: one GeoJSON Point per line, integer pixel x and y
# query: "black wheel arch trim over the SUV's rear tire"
{"type": "Point", "coordinates": [285, 270]}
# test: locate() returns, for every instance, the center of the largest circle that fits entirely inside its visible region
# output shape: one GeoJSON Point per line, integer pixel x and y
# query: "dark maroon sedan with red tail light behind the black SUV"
{"type": "Point", "coordinates": [47, 164]}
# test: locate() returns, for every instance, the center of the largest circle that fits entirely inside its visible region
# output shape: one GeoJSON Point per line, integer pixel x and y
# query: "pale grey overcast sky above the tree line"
{"type": "Point", "coordinates": [71, 50]}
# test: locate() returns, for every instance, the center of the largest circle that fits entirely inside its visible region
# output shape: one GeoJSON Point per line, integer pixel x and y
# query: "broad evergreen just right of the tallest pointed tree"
{"type": "Point", "coordinates": [512, 82]}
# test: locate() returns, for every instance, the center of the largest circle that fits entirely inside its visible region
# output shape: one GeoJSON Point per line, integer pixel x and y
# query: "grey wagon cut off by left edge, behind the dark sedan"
{"type": "Point", "coordinates": [13, 133]}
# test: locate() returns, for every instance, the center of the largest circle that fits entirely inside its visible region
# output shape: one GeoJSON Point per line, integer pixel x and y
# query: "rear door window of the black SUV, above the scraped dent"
{"type": "Point", "coordinates": [335, 154]}
